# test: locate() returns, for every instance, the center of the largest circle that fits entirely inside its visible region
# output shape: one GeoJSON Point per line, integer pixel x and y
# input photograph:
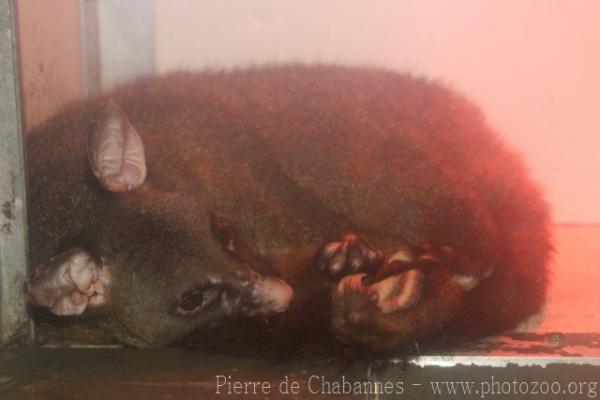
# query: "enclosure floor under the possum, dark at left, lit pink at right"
{"type": "Point", "coordinates": [568, 336]}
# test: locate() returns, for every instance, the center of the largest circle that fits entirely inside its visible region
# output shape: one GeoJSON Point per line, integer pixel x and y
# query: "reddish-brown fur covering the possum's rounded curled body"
{"type": "Point", "coordinates": [293, 156]}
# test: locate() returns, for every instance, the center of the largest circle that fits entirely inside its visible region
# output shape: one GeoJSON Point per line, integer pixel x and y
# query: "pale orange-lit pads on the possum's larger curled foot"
{"type": "Point", "coordinates": [396, 292]}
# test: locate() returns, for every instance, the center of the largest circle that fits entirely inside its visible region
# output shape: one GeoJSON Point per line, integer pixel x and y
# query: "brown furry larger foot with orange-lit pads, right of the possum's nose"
{"type": "Point", "coordinates": [401, 308]}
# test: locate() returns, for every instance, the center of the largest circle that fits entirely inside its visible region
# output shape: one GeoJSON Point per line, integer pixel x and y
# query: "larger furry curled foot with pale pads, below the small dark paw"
{"type": "Point", "coordinates": [414, 292]}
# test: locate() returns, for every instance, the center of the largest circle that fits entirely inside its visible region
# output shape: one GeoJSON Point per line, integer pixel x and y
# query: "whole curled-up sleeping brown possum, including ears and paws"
{"type": "Point", "coordinates": [353, 206]}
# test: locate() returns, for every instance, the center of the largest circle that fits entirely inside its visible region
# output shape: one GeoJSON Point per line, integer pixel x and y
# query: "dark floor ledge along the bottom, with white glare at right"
{"type": "Point", "coordinates": [178, 374]}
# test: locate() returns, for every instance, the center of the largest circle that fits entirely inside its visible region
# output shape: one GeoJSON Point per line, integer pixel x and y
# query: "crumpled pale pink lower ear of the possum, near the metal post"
{"type": "Point", "coordinates": [68, 283]}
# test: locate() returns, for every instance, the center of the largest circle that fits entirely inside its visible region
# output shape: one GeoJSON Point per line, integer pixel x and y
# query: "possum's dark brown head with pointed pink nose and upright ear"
{"type": "Point", "coordinates": [175, 264]}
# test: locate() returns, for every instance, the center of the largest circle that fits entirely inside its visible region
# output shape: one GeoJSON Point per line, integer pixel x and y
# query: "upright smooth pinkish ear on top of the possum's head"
{"type": "Point", "coordinates": [115, 150]}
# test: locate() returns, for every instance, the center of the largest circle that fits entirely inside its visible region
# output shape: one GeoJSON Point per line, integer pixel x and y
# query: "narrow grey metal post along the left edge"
{"type": "Point", "coordinates": [13, 199]}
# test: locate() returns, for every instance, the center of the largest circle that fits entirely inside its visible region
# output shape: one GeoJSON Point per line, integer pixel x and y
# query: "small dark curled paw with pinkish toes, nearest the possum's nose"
{"type": "Point", "coordinates": [348, 256]}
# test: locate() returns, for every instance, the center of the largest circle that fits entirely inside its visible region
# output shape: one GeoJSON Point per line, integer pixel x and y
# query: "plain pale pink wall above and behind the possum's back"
{"type": "Point", "coordinates": [532, 65]}
